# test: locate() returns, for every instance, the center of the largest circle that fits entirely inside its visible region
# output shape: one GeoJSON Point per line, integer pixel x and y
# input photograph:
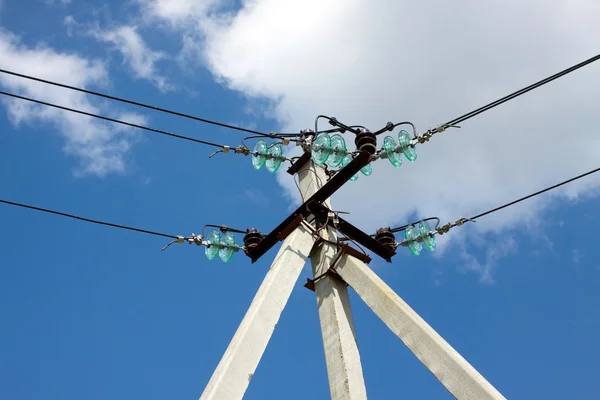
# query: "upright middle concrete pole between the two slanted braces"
{"type": "Point", "coordinates": [342, 358]}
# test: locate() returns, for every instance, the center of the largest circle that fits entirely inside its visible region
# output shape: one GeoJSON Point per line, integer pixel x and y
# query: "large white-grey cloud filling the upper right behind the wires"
{"type": "Point", "coordinates": [372, 61]}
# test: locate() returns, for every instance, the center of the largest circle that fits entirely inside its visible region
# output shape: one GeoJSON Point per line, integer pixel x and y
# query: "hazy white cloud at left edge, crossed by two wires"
{"type": "Point", "coordinates": [99, 147]}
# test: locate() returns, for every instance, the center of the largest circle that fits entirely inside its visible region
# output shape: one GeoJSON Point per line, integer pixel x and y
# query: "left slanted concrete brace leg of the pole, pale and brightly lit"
{"type": "Point", "coordinates": [237, 366]}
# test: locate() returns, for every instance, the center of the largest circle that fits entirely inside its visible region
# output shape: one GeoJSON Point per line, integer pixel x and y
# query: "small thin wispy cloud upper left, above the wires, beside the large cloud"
{"type": "Point", "coordinates": [135, 51]}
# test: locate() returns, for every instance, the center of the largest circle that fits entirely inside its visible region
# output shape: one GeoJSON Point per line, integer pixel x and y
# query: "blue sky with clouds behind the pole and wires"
{"type": "Point", "coordinates": [90, 312]}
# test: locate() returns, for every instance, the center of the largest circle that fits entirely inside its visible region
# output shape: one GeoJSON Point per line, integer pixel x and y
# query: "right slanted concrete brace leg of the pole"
{"type": "Point", "coordinates": [452, 370]}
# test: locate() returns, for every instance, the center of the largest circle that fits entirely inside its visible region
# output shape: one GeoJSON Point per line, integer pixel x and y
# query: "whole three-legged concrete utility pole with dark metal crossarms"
{"type": "Point", "coordinates": [310, 231]}
